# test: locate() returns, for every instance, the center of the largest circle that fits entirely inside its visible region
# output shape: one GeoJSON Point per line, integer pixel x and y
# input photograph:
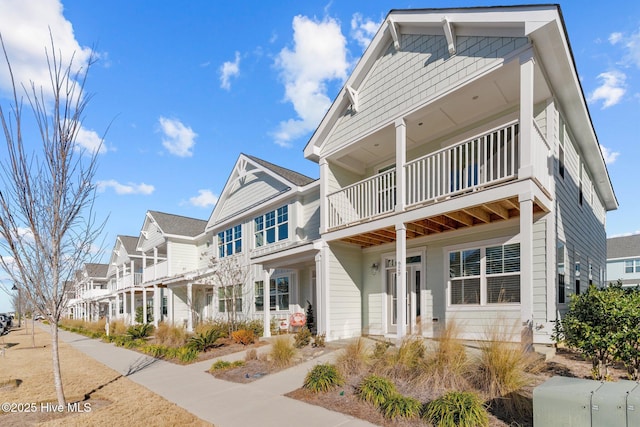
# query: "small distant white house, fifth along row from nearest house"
{"type": "Point", "coordinates": [90, 302]}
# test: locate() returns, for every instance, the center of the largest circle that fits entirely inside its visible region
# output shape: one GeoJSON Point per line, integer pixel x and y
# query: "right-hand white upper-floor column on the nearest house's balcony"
{"type": "Point", "coordinates": [527, 155]}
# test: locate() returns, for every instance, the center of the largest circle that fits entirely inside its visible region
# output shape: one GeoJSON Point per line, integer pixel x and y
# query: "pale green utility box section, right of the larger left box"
{"type": "Point", "coordinates": [609, 404]}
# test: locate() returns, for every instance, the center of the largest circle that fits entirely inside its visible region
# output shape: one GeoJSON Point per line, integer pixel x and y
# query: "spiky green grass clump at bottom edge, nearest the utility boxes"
{"type": "Point", "coordinates": [457, 409]}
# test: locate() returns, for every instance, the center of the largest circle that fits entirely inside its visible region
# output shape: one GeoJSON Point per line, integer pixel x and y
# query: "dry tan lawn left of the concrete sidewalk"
{"type": "Point", "coordinates": [106, 397]}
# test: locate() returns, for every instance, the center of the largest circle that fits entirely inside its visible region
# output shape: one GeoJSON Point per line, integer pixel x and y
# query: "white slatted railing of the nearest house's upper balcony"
{"type": "Point", "coordinates": [472, 165]}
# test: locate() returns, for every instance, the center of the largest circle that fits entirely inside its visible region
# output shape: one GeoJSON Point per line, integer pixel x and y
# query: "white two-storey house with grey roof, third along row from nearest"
{"type": "Point", "coordinates": [174, 249]}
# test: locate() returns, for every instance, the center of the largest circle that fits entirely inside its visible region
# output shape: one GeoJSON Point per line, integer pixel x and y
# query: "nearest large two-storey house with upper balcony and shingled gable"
{"type": "Point", "coordinates": [460, 179]}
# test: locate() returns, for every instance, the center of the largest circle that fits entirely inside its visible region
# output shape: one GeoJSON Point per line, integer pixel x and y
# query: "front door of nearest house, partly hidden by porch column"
{"type": "Point", "coordinates": [412, 297]}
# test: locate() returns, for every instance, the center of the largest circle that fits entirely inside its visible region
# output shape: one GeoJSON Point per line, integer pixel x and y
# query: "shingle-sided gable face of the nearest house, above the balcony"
{"type": "Point", "coordinates": [422, 67]}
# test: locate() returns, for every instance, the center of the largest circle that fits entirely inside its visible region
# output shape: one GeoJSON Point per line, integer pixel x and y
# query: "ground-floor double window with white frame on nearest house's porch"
{"type": "Point", "coordinates": [493, 271]}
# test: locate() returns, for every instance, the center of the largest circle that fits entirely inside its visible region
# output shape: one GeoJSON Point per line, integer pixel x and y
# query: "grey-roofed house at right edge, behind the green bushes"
{"type": "Point", "coordinates": [623, 260]}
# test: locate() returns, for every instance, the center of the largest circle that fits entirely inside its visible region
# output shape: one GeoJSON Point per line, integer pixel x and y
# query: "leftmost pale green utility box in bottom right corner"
{"type": "Point", "coordinates": [563, 402]}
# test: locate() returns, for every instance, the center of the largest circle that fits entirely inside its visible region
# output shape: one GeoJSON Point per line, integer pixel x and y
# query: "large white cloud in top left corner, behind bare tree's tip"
{"type": "Point", "coordinates": [25, 28]}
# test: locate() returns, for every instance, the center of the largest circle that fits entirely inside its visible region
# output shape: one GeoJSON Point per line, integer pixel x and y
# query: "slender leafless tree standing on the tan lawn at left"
{"type": "Point", "coordinates": [47, 222]}
